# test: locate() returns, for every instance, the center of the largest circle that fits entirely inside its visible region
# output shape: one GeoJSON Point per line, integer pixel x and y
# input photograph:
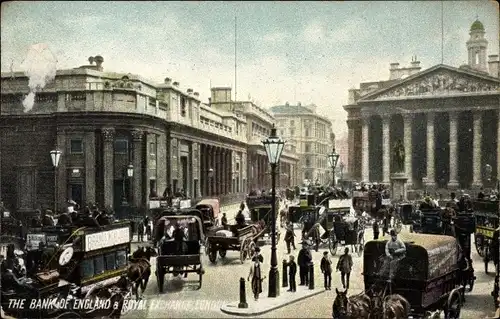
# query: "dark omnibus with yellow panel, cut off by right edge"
{"type": "Point", "coordinates": [487, 217]}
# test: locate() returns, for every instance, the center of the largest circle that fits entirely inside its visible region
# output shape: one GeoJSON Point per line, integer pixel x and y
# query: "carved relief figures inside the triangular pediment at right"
{"type": "Point", "coordinates": [441, 83]}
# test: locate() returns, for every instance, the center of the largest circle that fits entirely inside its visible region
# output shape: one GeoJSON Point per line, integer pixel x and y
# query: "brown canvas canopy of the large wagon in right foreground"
{"type": "Point", "coordinates": [427, 256]}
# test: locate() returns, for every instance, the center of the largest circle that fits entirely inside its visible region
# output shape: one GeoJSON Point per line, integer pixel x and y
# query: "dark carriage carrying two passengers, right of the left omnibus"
{"type": "Point", "coordinates": [178, 237]}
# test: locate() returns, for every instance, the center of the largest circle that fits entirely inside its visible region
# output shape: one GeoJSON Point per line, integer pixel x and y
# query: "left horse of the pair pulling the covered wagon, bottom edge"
{"type": "Point", "coordinates": [358, 306]}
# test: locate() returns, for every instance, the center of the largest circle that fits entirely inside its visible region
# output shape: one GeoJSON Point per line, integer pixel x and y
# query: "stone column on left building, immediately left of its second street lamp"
{"type": "Point", "coordinates": [108, 169]}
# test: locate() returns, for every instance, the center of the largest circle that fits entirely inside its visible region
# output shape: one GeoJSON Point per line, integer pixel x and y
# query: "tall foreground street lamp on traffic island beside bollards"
{"type": "Point", "coordinates": [274, 146]}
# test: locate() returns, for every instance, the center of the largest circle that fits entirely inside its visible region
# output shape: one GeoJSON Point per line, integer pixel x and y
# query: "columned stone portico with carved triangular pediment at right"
{"type": "Point", "coordinates": [449, 135]}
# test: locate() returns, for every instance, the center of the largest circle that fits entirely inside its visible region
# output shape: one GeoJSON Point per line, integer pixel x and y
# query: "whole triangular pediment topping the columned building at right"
{"type": "Point", "coordinates": [439, 80]}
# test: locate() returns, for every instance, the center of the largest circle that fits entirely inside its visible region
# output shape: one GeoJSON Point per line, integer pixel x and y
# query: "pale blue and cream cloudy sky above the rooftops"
{"type": "Point", "coordinates": [308, 52]}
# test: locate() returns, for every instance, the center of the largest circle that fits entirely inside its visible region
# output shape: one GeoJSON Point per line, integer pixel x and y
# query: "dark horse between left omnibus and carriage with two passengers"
{"type": "Point", "coordinates": [139, 269]}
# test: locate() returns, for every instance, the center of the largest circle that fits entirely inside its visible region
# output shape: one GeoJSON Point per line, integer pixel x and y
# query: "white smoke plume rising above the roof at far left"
{"type": "Point", "coordinates": [40, 67]}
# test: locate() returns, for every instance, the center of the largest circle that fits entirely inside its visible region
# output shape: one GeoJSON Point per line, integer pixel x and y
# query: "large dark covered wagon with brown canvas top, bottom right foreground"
{"type": "Point", "coordinates": [429, 276]}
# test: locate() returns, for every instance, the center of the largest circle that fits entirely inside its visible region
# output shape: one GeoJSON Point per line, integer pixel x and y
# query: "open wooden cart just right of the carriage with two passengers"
{"type": "Point", "coordinates": [242, 240]}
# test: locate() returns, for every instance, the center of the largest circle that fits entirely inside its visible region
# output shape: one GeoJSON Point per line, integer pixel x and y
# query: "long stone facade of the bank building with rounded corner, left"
{"type": "Point", "coordinates": [104, 122]}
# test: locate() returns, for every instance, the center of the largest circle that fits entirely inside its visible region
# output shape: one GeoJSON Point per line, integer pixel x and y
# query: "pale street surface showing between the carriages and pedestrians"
{"type": "Point", "coordinates": [221, 286]}
